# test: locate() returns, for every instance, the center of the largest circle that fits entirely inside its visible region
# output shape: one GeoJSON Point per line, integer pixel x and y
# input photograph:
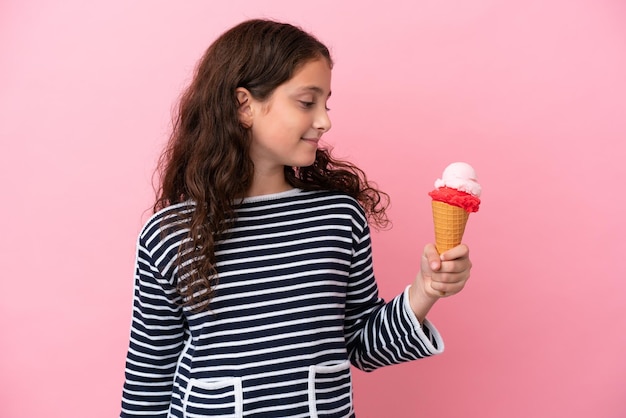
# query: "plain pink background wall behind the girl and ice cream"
{"type": "Point", "coordinates": [532, 93]}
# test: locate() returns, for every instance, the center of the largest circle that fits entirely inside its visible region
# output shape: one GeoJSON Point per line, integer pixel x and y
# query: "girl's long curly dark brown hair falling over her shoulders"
{"type": "Point", "coordinates": [207, 159]}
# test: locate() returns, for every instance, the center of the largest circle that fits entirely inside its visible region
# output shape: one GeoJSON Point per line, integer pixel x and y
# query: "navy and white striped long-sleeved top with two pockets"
{"type": "Point", "coordinates": [296, 304]}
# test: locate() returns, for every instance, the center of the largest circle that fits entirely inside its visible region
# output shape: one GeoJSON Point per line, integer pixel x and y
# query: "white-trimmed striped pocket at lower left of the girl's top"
{"type": "Point", "coordinates": [214, 398]}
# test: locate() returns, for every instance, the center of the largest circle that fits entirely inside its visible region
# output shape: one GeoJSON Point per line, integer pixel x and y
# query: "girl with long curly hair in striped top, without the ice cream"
{"type": "Point", "coordinates": [254, 287]}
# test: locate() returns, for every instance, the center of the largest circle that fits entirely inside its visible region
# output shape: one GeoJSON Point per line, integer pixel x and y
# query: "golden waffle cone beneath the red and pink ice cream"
{"type": "Point", "coordinates": [449, 225]}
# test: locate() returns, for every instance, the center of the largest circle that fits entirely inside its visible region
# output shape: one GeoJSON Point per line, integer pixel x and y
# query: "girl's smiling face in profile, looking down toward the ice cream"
{"type": "Point", "coordinates": [286, 128]}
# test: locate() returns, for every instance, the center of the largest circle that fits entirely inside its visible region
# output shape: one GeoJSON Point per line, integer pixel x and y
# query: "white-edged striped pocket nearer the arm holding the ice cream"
{"type": "Point", "coordinates": [330, 390]}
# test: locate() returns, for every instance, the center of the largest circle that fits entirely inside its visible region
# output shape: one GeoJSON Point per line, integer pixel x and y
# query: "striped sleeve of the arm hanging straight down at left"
{"type": "Point", "coordinates": [157, 333]}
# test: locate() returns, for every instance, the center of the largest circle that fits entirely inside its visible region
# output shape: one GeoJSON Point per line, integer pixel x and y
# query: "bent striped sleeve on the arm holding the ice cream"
{"type": "Point", "coordinates": [378, 333]}
